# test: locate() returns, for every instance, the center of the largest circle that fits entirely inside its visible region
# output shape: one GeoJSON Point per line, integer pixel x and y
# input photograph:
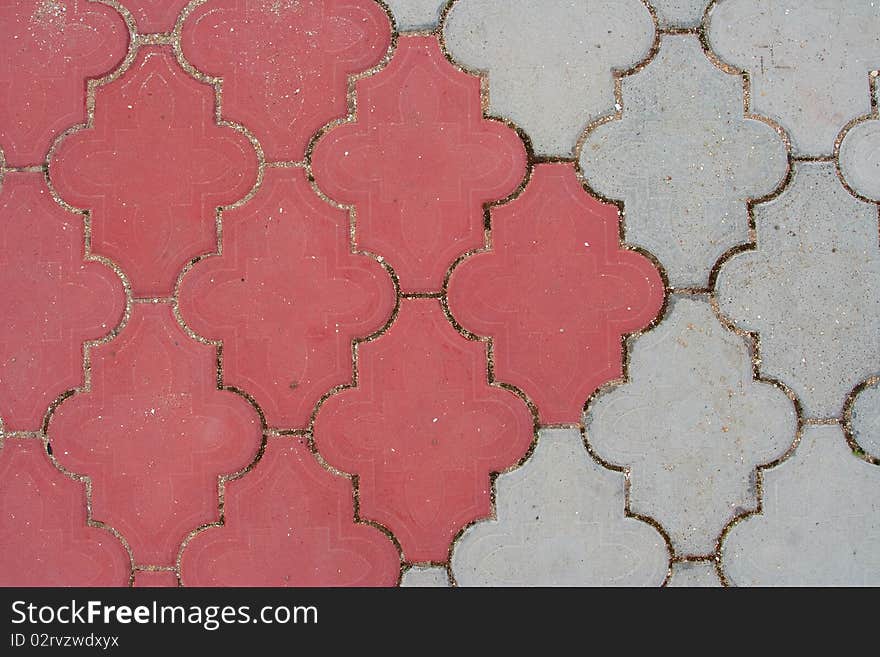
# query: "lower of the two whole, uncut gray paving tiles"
{"type": "Point", "coordinates": [691, 424]}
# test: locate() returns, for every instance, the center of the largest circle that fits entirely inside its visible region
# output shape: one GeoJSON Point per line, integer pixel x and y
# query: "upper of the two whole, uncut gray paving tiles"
{"type": "Point", "coordinates": [684, 169]}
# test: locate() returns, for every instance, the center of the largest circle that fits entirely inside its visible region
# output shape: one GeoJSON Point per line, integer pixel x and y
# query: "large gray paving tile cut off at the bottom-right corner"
{"type": "Point", "coordinates": [821, 520]}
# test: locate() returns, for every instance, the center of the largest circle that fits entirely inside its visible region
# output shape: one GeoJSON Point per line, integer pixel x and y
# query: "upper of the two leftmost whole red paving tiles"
{"type": "Point", "coordinates": [153, 170]}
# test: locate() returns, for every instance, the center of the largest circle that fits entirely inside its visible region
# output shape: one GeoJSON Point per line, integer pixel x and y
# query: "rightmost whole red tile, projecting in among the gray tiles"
{"type": "Point", "coordinates": [556, 293]}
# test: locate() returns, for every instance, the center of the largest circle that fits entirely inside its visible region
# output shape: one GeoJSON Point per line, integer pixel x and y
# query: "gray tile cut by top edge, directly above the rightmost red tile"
{"type": "Point", "coordinates": [550, 63]}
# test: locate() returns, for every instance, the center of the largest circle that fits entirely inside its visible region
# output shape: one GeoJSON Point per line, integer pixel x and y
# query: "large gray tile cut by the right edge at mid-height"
{"type": "Point", "coordinates": [810, 289]}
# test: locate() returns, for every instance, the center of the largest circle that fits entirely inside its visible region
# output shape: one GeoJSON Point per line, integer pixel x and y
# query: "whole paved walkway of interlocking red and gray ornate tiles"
{"type": "Point", "coordinates": [484, 292]}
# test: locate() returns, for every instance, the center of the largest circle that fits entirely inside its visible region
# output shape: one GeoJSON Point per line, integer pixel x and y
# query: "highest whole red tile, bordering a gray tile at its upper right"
{"type": "Point", "coordinates": [419, 163]}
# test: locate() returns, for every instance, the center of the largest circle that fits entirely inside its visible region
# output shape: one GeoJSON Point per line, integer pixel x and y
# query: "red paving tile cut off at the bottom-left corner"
{"type": "Point", "coordinates": [44, 536]}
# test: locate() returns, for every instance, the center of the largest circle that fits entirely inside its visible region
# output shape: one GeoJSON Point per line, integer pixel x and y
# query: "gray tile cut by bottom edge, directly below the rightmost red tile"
{"type": "Point", "coordinates": [561, 522]}
